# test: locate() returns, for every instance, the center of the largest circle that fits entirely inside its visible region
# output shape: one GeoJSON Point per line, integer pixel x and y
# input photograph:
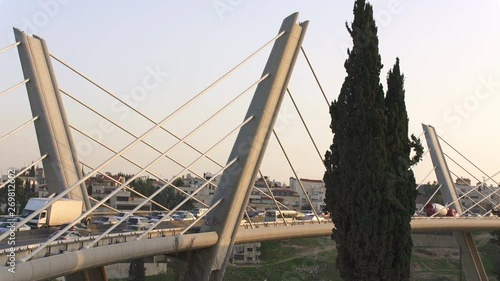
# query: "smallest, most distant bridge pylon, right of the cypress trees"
{"type": "Point", "coordinates": [472, 264]}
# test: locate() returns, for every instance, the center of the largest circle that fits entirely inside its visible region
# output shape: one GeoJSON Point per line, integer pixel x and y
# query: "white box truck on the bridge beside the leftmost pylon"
{"type": "Point", "coordinates": [61, 212]}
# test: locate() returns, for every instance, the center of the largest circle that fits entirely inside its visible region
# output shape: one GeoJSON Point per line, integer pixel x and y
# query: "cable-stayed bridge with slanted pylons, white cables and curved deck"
{"type": "Point", "coordinates": [220, 228]}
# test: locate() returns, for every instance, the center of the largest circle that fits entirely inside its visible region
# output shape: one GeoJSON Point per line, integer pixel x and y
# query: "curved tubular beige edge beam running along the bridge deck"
{"type": "Point", "coordinates": [261, 232]}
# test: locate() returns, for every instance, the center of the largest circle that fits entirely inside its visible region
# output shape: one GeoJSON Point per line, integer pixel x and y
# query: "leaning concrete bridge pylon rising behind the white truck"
{"type": "Point", "coordinates": [61, 166]}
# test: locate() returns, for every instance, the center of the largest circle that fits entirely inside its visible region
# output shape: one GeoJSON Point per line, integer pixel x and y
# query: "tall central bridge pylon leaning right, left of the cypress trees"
{"type": "Point", "coordinates": [236, 182]}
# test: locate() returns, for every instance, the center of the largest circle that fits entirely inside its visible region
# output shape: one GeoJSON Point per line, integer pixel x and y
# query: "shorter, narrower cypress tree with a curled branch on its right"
{"type": "Point", "coordinates": [400, 176]}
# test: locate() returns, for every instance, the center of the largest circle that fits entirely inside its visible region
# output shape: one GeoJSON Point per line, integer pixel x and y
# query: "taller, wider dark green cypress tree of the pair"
{"type": "Point", "coordinates": [358, 193]}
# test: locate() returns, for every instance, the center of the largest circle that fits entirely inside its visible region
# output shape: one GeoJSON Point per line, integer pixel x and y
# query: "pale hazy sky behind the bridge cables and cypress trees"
{"type": "Point", "coordinates": [449, 52]}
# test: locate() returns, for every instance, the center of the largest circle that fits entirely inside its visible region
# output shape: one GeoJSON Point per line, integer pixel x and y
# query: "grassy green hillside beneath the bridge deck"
{"type": "Point", "coordinates": [314, 259]}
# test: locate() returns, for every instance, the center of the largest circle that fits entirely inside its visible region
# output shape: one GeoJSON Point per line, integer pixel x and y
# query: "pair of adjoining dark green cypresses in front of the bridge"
{"type": "Point", "coordinates": [370, 187]}
